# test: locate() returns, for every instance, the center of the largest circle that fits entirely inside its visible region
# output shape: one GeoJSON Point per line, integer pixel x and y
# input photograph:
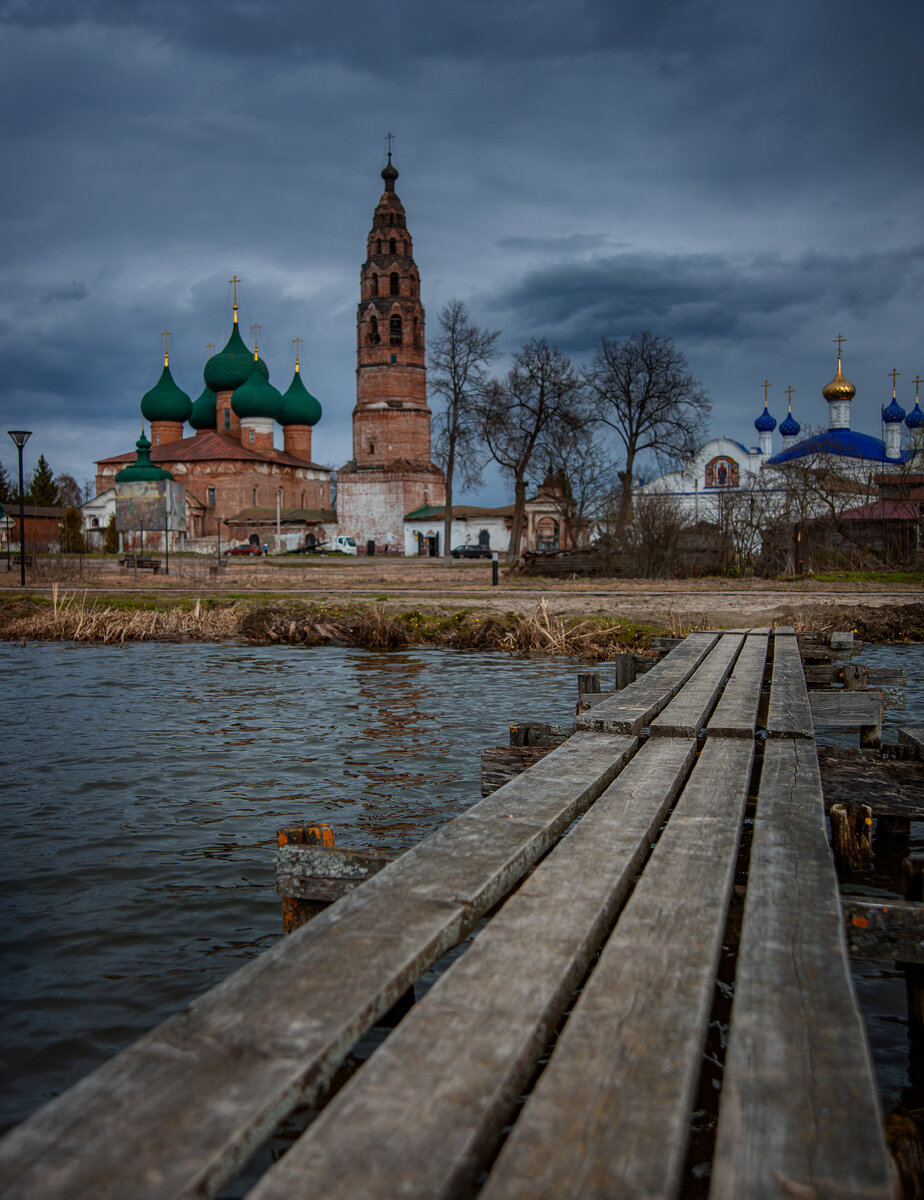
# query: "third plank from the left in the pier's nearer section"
{"type": "Point", "coordinates": [610, 1114]}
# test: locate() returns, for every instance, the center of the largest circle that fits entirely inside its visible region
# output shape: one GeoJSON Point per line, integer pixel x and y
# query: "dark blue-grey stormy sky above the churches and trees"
{"type": "Point", "coordinates": [745, 179]}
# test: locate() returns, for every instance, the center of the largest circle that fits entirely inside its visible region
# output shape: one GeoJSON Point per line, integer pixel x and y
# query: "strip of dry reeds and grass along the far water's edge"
{"type": "Point", "coordinates": [109, 620]}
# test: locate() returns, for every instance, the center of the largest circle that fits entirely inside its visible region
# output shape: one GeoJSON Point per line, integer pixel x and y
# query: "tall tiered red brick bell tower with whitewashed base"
{"type": "Point", "coordinates": [392, 472]}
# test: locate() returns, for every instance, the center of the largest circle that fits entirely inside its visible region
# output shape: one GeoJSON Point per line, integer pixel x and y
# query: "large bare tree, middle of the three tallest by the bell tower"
{"type": "Point", "coordinates": [541, 400]}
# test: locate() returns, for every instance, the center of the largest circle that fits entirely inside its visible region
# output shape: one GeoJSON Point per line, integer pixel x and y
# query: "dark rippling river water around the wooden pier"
{"type": "Point", "coordinates": [145, 787]}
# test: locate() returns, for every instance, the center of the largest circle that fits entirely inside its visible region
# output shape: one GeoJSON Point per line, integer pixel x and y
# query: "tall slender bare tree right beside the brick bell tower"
{"type": "Point", "coordinates": [458, 359]}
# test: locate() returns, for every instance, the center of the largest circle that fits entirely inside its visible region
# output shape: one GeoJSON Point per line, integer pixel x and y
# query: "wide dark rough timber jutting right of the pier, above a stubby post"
{"type": "Point", "coordinates": [891, 788]}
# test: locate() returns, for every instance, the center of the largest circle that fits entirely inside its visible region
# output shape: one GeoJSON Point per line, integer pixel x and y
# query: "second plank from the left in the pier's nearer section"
{"type": "Point", "coordinates": [430, 1107]}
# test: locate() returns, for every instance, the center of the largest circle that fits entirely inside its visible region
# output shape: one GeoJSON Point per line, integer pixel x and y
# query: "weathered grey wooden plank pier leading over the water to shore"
{"type": "Point", "coordinates": [561, 1054]}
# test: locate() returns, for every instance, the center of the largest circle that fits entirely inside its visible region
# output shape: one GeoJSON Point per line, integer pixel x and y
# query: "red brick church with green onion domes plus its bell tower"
{"type": "Point", "coordinates": [236, 478]}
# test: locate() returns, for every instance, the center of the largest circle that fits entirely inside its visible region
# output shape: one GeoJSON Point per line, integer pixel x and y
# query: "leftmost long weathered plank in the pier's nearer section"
{"type": "Point", "coordinates": [178, 1113]}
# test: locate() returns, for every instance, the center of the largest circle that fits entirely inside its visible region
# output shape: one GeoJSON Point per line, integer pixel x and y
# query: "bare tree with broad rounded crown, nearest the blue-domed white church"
{"type": "Point", "coordinates": [644, 392]}
